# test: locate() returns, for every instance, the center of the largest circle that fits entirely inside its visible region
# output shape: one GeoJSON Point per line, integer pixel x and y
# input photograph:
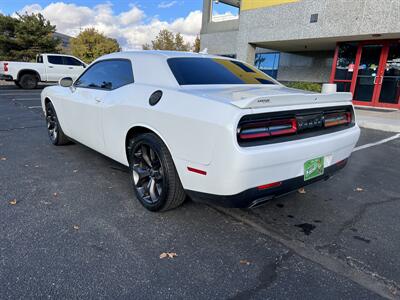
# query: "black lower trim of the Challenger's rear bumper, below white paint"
{"type": "Point", "coordinates": [254, 196]}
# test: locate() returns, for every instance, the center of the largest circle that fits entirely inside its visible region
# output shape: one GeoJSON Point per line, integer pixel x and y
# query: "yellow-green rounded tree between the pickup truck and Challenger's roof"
{"type": "Point", "coordinates": [91, 44]}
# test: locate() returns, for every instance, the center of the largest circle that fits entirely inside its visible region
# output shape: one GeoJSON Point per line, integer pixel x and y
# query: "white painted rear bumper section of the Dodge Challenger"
{"type": "Point", "coordinates": [235, 169]}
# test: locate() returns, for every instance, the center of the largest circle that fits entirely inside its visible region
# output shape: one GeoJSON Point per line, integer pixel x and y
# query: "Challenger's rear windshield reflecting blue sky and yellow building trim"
{"type": "Point", "coordinates": [198, 70]}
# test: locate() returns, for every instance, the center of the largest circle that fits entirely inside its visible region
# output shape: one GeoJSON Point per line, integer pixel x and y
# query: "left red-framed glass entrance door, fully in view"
{"type": "Point", "coordinates": [369, 67]}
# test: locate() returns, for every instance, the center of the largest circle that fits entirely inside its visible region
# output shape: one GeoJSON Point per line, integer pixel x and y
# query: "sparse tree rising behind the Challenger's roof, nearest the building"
{"type": "Point", "coordinates": [166, 40]}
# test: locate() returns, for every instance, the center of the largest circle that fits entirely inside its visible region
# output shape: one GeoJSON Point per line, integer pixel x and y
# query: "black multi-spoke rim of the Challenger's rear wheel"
{"type": "Point", "coordinates": [148, 174]}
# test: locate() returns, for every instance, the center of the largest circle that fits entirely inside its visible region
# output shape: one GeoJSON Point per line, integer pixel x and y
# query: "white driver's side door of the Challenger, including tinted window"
{"type": "Point", "coordinates": [90, 95]}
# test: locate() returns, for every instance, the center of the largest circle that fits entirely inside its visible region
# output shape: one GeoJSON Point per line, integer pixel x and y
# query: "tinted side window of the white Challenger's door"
{"type": "Point", "coordinates": [107, 74]}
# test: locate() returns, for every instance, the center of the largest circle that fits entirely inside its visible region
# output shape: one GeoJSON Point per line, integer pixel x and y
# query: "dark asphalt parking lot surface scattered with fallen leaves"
{"type": "Point", "coordinates": [70, 227]}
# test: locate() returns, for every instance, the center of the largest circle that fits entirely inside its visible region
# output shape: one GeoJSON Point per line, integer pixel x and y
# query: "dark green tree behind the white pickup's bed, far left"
{"type": "Point", "coordinates": [24, 37]}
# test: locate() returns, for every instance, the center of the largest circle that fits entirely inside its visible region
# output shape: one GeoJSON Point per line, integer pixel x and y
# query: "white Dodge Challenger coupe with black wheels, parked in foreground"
{"type": "Point", "coordinates": [213, 128]}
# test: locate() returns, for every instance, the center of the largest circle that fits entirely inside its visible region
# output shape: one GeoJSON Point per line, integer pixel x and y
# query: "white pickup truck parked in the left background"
{"type": "Point", "coordinates": [48, 68]}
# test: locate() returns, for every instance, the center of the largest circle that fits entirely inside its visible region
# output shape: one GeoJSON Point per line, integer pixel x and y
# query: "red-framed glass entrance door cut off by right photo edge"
{"type": "Point", "coordinates": [389, 95]}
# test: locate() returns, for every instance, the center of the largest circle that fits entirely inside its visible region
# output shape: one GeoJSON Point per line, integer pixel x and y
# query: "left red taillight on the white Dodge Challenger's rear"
{"type": "Point", "coordinates": [267, 129]}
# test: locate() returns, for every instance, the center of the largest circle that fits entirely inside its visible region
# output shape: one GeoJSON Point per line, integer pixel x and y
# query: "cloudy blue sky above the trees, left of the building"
{"type": "Point", "coordinates": [131, 28]}
